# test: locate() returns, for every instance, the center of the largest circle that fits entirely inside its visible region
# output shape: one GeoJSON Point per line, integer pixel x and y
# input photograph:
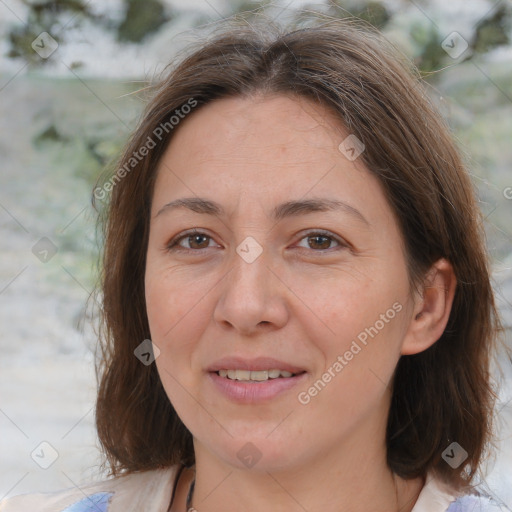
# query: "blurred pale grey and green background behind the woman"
{"type": "Point", "coordinates": [70, 72]}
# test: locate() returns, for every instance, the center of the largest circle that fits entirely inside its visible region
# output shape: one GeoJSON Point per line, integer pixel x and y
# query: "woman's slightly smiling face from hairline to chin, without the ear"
{"type": "Point", "coordinates": [269, 274]}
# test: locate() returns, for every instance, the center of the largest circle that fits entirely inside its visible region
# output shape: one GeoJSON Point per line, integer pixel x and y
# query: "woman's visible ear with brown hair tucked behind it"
{"type": "Point", "coordinates": [431, 309]}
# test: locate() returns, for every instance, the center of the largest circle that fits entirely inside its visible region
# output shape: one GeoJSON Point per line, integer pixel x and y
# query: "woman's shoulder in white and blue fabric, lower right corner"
{"type": "Point", "coordinates": [436, 496]}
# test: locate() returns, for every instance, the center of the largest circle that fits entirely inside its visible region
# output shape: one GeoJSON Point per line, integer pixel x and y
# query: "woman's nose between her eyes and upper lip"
{"type": "Point", "coordinates": [252, 296]}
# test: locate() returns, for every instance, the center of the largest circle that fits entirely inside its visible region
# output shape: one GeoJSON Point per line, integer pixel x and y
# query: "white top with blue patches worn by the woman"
{"type": "Point", "coordinates": [151, 491]}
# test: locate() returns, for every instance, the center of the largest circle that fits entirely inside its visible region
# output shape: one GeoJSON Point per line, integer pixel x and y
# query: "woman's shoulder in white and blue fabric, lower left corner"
{"type": "Point", "coordinates": [147, 490]}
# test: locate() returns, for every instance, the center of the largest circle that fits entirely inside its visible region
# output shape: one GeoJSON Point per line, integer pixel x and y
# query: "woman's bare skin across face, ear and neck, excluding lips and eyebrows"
{"type": "Point", "coordinates": [303, 300]}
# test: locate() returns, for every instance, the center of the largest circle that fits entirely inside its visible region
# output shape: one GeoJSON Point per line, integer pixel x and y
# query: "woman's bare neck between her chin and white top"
{"type": "Point", "coordinates": [366, 485]}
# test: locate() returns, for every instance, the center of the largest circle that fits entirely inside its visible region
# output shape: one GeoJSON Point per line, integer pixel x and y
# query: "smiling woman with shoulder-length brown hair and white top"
{"type": "Point", "coordinates": [292, 227]}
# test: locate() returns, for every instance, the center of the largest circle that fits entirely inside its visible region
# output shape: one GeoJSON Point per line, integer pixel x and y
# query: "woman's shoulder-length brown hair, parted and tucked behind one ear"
{"type": "Point", "coordinates": [441, 395]}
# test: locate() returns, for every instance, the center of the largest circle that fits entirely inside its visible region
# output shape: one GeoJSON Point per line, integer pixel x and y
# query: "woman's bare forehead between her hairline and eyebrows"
{"type": "Point", "coordinates": [260, 150]}
